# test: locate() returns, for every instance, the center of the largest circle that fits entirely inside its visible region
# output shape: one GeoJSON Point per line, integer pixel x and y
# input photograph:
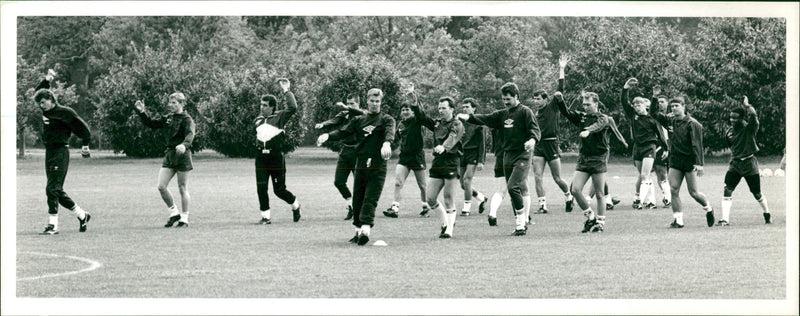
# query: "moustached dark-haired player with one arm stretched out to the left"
{"type": "Point", "coordinates": [520, 134]}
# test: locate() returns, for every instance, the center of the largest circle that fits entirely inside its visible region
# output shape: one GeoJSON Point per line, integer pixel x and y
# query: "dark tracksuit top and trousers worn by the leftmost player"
{"type": "Point", "coordinates": [60, 123]}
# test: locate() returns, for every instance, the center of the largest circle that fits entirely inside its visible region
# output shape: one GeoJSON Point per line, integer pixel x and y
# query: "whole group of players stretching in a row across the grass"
{"type": "Point", "coordinates": [666, 139]}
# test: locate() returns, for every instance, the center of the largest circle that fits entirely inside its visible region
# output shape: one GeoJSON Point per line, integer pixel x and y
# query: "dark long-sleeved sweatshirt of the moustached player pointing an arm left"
{"type": "Point", "coordinates": [517, 123]}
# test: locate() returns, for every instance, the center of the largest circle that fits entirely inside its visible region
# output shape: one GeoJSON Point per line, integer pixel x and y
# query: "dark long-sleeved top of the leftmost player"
{"type": "Point", "coordinates": [60, 122]}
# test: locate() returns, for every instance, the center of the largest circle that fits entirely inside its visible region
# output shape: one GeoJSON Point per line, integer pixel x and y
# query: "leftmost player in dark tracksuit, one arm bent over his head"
{"type": "Point", "coordinates": [60, 122]}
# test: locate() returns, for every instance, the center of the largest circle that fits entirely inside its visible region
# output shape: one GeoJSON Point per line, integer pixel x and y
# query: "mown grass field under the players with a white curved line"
{"type": "Point", "coordinates": [225, 255]}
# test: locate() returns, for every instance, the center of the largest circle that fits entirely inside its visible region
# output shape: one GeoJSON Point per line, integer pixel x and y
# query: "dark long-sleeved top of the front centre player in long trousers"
{"type": "Point", "coordinates": [371, 131]}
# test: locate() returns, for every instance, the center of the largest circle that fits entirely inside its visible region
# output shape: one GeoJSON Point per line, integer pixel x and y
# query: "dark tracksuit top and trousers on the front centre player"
{"type": "Point", "coordinates": [371, 131]}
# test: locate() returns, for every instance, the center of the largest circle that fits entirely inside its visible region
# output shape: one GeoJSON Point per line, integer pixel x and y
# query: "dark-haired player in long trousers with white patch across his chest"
{"type": "Point", "coordinates": [270, 162]}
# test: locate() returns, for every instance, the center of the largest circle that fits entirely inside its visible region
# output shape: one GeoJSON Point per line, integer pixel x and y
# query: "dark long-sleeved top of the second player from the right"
{"type": "Point", "coordinates": [687, 135]}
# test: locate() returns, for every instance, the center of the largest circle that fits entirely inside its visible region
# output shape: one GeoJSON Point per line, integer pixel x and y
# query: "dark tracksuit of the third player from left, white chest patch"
{"type": "Point", "coordinates": [273, 164]}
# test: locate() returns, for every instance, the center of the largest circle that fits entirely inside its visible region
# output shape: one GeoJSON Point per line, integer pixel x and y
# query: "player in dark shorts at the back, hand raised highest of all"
{"type": "Point", "coordinates": [547, 151]}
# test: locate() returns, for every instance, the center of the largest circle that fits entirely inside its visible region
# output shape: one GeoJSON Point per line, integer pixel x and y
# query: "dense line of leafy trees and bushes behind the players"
{"type": "Point", "coordinates": [224, 64]}
